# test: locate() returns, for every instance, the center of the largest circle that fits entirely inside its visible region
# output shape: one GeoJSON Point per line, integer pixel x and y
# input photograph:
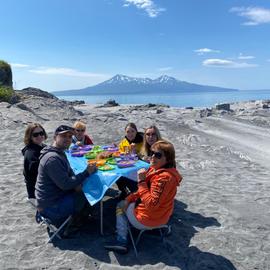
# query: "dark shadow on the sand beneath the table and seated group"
{"type": "Point", "coordinates": [177, 253]}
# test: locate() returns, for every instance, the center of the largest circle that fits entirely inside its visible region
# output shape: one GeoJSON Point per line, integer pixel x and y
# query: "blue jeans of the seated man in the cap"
{"type": "Point", "coordinates": [61, 210]}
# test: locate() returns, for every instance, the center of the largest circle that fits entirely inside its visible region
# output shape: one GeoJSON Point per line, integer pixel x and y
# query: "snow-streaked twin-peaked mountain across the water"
{"type": "Point", "coordinates": [121, 84]}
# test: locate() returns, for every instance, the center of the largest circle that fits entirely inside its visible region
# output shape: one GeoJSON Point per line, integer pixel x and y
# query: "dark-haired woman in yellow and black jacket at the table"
{"type": "Point", "coordinates": [133, 139]}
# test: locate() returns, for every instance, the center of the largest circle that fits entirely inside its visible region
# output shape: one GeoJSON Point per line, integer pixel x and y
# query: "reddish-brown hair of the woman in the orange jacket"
{"type": "Point", "coordinates": [168, 150]}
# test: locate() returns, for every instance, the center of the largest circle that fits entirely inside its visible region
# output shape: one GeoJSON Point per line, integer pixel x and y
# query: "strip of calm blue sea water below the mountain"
{"type": "Point", "coordinates": [206, 99]}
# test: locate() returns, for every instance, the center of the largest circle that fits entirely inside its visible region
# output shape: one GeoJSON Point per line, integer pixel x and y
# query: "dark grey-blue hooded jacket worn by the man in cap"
{"type": "Point", "coordinates": [55, 177]}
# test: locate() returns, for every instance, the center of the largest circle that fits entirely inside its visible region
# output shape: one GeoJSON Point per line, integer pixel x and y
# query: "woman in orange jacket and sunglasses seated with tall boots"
{"type": "Point", "coordinates": [152, 205]}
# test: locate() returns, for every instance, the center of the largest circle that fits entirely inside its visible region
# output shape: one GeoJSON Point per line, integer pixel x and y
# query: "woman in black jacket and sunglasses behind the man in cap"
{"type": "Point", "coordinates": [34, 137]}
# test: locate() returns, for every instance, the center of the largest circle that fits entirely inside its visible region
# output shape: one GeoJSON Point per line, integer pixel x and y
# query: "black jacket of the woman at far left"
{"type": "Point", "coordinates": [31, 155]}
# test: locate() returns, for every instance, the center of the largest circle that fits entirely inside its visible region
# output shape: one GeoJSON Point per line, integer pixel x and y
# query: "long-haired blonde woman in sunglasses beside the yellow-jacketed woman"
{"type": "Point", "coordinates": [151, 135]}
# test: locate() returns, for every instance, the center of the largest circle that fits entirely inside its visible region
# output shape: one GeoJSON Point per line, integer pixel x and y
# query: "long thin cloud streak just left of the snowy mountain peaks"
{"type": "Point", "coordinates": [65, 72]}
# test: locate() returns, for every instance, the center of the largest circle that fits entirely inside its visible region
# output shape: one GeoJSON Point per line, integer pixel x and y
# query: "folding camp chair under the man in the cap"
{"type": "Point", "coordinates": [51, 229]}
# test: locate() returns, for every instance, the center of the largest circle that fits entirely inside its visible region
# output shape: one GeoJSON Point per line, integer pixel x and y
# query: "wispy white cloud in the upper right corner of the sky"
{"type": "Point", "coordinates": [254, 15]}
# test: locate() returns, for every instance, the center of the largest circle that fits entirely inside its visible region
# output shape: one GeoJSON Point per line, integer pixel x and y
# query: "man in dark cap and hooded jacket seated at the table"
{"type": "Point", "coordinates": [58, 189]}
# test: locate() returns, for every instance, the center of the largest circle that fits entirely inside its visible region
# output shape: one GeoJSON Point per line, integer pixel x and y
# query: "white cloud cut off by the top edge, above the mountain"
{"type": "Point", "coordinates": [148, 5]}
